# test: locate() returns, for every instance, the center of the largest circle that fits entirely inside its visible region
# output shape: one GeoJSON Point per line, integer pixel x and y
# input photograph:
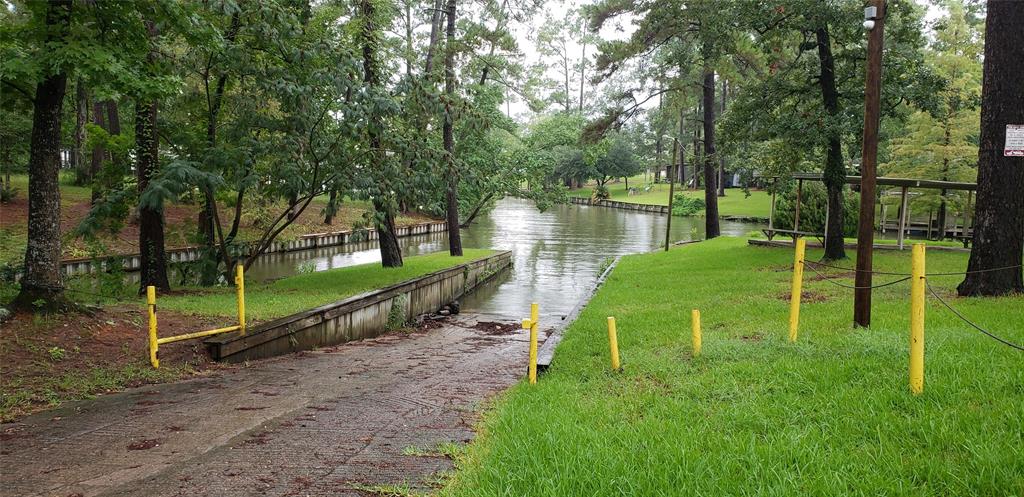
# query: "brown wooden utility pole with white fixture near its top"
{"type": "Point", "coordinates": [875, 24]}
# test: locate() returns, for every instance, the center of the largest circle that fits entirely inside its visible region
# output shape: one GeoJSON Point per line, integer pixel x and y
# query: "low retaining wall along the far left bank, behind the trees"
{"type": "Point", "coordinates": [133, 263]}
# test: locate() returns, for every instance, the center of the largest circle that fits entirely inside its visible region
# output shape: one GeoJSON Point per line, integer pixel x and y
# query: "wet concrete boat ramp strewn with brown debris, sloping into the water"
{"type": "Point", "coordinates": [334, 422]}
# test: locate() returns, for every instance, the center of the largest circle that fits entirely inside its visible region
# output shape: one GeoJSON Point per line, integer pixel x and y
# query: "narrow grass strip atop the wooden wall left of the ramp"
{"type": "Point", "coordinates": [301, 293]}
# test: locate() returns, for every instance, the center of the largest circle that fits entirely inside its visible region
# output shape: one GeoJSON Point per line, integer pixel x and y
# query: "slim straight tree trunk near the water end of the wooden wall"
{"type": "Point", "coordinates": [452, 194]}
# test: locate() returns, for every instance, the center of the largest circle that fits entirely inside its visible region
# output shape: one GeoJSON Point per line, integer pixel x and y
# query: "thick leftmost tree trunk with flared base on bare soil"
{"type": "Point", "coordinates": [42, 288]}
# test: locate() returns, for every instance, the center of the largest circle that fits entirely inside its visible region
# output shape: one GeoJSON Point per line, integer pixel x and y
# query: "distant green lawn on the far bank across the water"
{"type": "Point", "coordinates": [735, 202]}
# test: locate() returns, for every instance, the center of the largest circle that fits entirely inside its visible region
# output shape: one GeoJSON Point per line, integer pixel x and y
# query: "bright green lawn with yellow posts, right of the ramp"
{"type": "Point", "coordinates": [756, 416]}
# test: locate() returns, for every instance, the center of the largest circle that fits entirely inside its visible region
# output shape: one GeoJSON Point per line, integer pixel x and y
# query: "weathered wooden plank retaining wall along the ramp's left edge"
{"type": "Point", "coordinates": [357, 318]}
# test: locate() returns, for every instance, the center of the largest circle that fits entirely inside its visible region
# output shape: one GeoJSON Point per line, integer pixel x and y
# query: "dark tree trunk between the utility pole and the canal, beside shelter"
{"type": "Point", "coordinates": [835, 173]}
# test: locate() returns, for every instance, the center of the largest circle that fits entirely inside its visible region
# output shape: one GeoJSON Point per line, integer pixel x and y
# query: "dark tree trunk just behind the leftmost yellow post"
{"type": "Point", "coordinates": [153, 259]}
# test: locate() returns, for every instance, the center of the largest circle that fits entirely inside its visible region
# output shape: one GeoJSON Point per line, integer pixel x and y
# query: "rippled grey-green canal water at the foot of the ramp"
{"type": "Point", "coordinates": [558, 255]}
